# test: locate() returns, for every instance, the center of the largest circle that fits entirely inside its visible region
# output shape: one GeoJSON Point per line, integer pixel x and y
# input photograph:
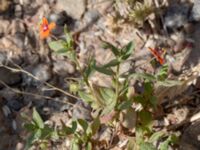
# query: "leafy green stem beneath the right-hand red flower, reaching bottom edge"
{"type": "Point", "coordinates": [146, 137]}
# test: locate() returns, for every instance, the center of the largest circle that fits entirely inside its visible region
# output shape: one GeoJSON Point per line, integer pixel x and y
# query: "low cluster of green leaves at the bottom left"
{"type": "Point", "coordinates": [41, 134]}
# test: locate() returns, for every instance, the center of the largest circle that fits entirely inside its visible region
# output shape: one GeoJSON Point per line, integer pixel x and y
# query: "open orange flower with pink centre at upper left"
{"type": "Point", "coordinates": [45, 28]}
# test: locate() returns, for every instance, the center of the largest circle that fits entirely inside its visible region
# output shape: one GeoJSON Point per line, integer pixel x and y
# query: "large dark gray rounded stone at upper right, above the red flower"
{"type": "Point", "coordinates": [176, 16]}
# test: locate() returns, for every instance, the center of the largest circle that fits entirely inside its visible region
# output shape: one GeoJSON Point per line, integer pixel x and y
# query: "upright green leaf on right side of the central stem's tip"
{"type": "Point", "coordinates": [127, 51]}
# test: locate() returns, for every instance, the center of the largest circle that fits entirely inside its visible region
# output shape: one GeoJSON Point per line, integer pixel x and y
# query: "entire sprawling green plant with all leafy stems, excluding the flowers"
{"type": "Point", "coordinates": [105, 100]}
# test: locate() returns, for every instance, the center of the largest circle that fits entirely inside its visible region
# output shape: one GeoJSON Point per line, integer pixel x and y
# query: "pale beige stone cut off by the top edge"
{"type": "Point", "coordinates": [75, 8]}
